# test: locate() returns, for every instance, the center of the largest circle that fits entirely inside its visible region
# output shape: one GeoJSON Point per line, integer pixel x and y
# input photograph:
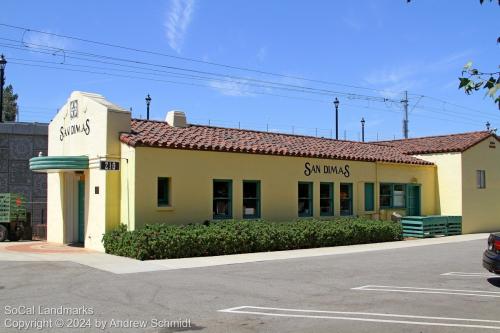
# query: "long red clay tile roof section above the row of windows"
{"type": "Point", "coordinates": [150, 133]}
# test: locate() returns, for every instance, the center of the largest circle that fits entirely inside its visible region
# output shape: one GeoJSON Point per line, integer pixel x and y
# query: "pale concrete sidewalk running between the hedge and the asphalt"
{"type": "Point", "coordinates": [122, 265]}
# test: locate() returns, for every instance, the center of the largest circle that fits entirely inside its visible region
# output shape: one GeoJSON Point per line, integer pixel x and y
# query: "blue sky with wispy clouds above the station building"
{"type": "Point", "coordinates": [386, 46]}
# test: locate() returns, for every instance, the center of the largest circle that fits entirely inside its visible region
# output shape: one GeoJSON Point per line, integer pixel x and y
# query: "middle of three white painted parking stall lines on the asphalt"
{"type": "Point", "coordinates": [478, 293]}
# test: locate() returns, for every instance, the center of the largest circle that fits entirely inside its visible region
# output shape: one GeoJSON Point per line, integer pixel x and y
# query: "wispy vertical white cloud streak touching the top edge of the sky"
{"type": "Point", "coordinates": [177, 21]}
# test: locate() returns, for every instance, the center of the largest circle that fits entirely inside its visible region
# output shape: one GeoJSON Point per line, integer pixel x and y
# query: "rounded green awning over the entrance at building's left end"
{"type": "Point", "coordinates": [59, 163]}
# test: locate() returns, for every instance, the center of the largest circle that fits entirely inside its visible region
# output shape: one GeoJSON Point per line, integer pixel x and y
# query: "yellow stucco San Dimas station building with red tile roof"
{"type": "Point", "coordinates": [105, 168]}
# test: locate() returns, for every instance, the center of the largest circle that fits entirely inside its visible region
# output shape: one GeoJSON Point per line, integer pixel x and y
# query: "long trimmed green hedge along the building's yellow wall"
{"type": "Point", "coordinates": [161, 241]}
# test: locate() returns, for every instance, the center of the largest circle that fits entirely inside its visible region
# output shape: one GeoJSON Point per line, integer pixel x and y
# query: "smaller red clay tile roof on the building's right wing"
{"type": "Point", "coordinates": [438, 144]}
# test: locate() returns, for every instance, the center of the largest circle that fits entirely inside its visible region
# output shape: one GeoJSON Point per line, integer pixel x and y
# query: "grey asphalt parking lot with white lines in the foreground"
{"type": "Point", "coordinates": [435, 288]}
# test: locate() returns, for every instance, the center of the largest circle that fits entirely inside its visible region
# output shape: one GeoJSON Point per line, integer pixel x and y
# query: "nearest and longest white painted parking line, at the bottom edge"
{"type": "Point", "coordinates": [366, 317]}
